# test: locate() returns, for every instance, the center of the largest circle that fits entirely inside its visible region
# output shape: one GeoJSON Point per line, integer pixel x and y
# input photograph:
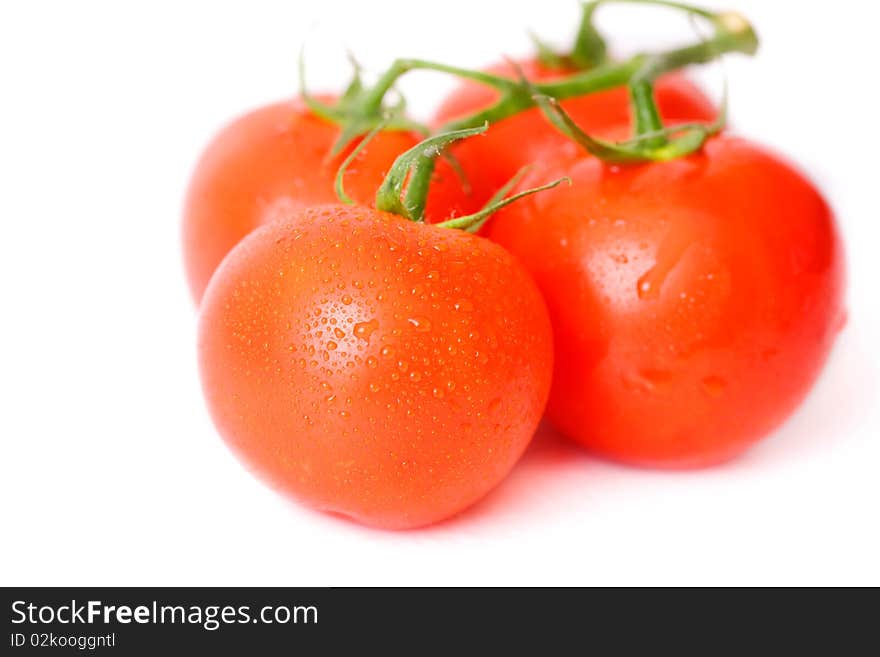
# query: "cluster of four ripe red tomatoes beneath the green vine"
{"type": "Point", "coordinates": [665, 310]}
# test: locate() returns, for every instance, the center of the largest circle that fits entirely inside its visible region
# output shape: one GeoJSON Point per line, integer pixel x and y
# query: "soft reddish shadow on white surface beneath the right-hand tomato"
{"type": "Point", "coordinates": [557, 476]}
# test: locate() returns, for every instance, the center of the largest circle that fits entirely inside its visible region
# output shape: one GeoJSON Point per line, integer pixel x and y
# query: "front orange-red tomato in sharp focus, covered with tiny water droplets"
{"type": "Point", "coordinates": [386, 370]}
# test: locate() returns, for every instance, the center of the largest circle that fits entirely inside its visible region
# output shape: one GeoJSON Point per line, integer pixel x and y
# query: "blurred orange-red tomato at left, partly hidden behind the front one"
{"type": "Point", "coordinates": [274, 160]}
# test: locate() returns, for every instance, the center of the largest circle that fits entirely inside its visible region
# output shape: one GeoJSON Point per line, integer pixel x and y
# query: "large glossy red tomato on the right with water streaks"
{"type": "Point", "coordinates": [693, 301]}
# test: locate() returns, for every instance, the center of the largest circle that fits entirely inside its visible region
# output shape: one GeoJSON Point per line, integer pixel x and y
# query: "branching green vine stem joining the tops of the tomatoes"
{"type": "Point", "coordinates": [362, 109]}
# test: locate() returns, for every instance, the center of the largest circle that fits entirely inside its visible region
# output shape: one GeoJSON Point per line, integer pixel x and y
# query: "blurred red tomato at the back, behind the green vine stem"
{"type": "Point", "coordinates": [491, 160]}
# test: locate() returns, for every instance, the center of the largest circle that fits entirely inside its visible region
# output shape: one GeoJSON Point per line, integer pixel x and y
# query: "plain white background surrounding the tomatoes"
{"type": "Point", "coordinates": [111, 472]}
